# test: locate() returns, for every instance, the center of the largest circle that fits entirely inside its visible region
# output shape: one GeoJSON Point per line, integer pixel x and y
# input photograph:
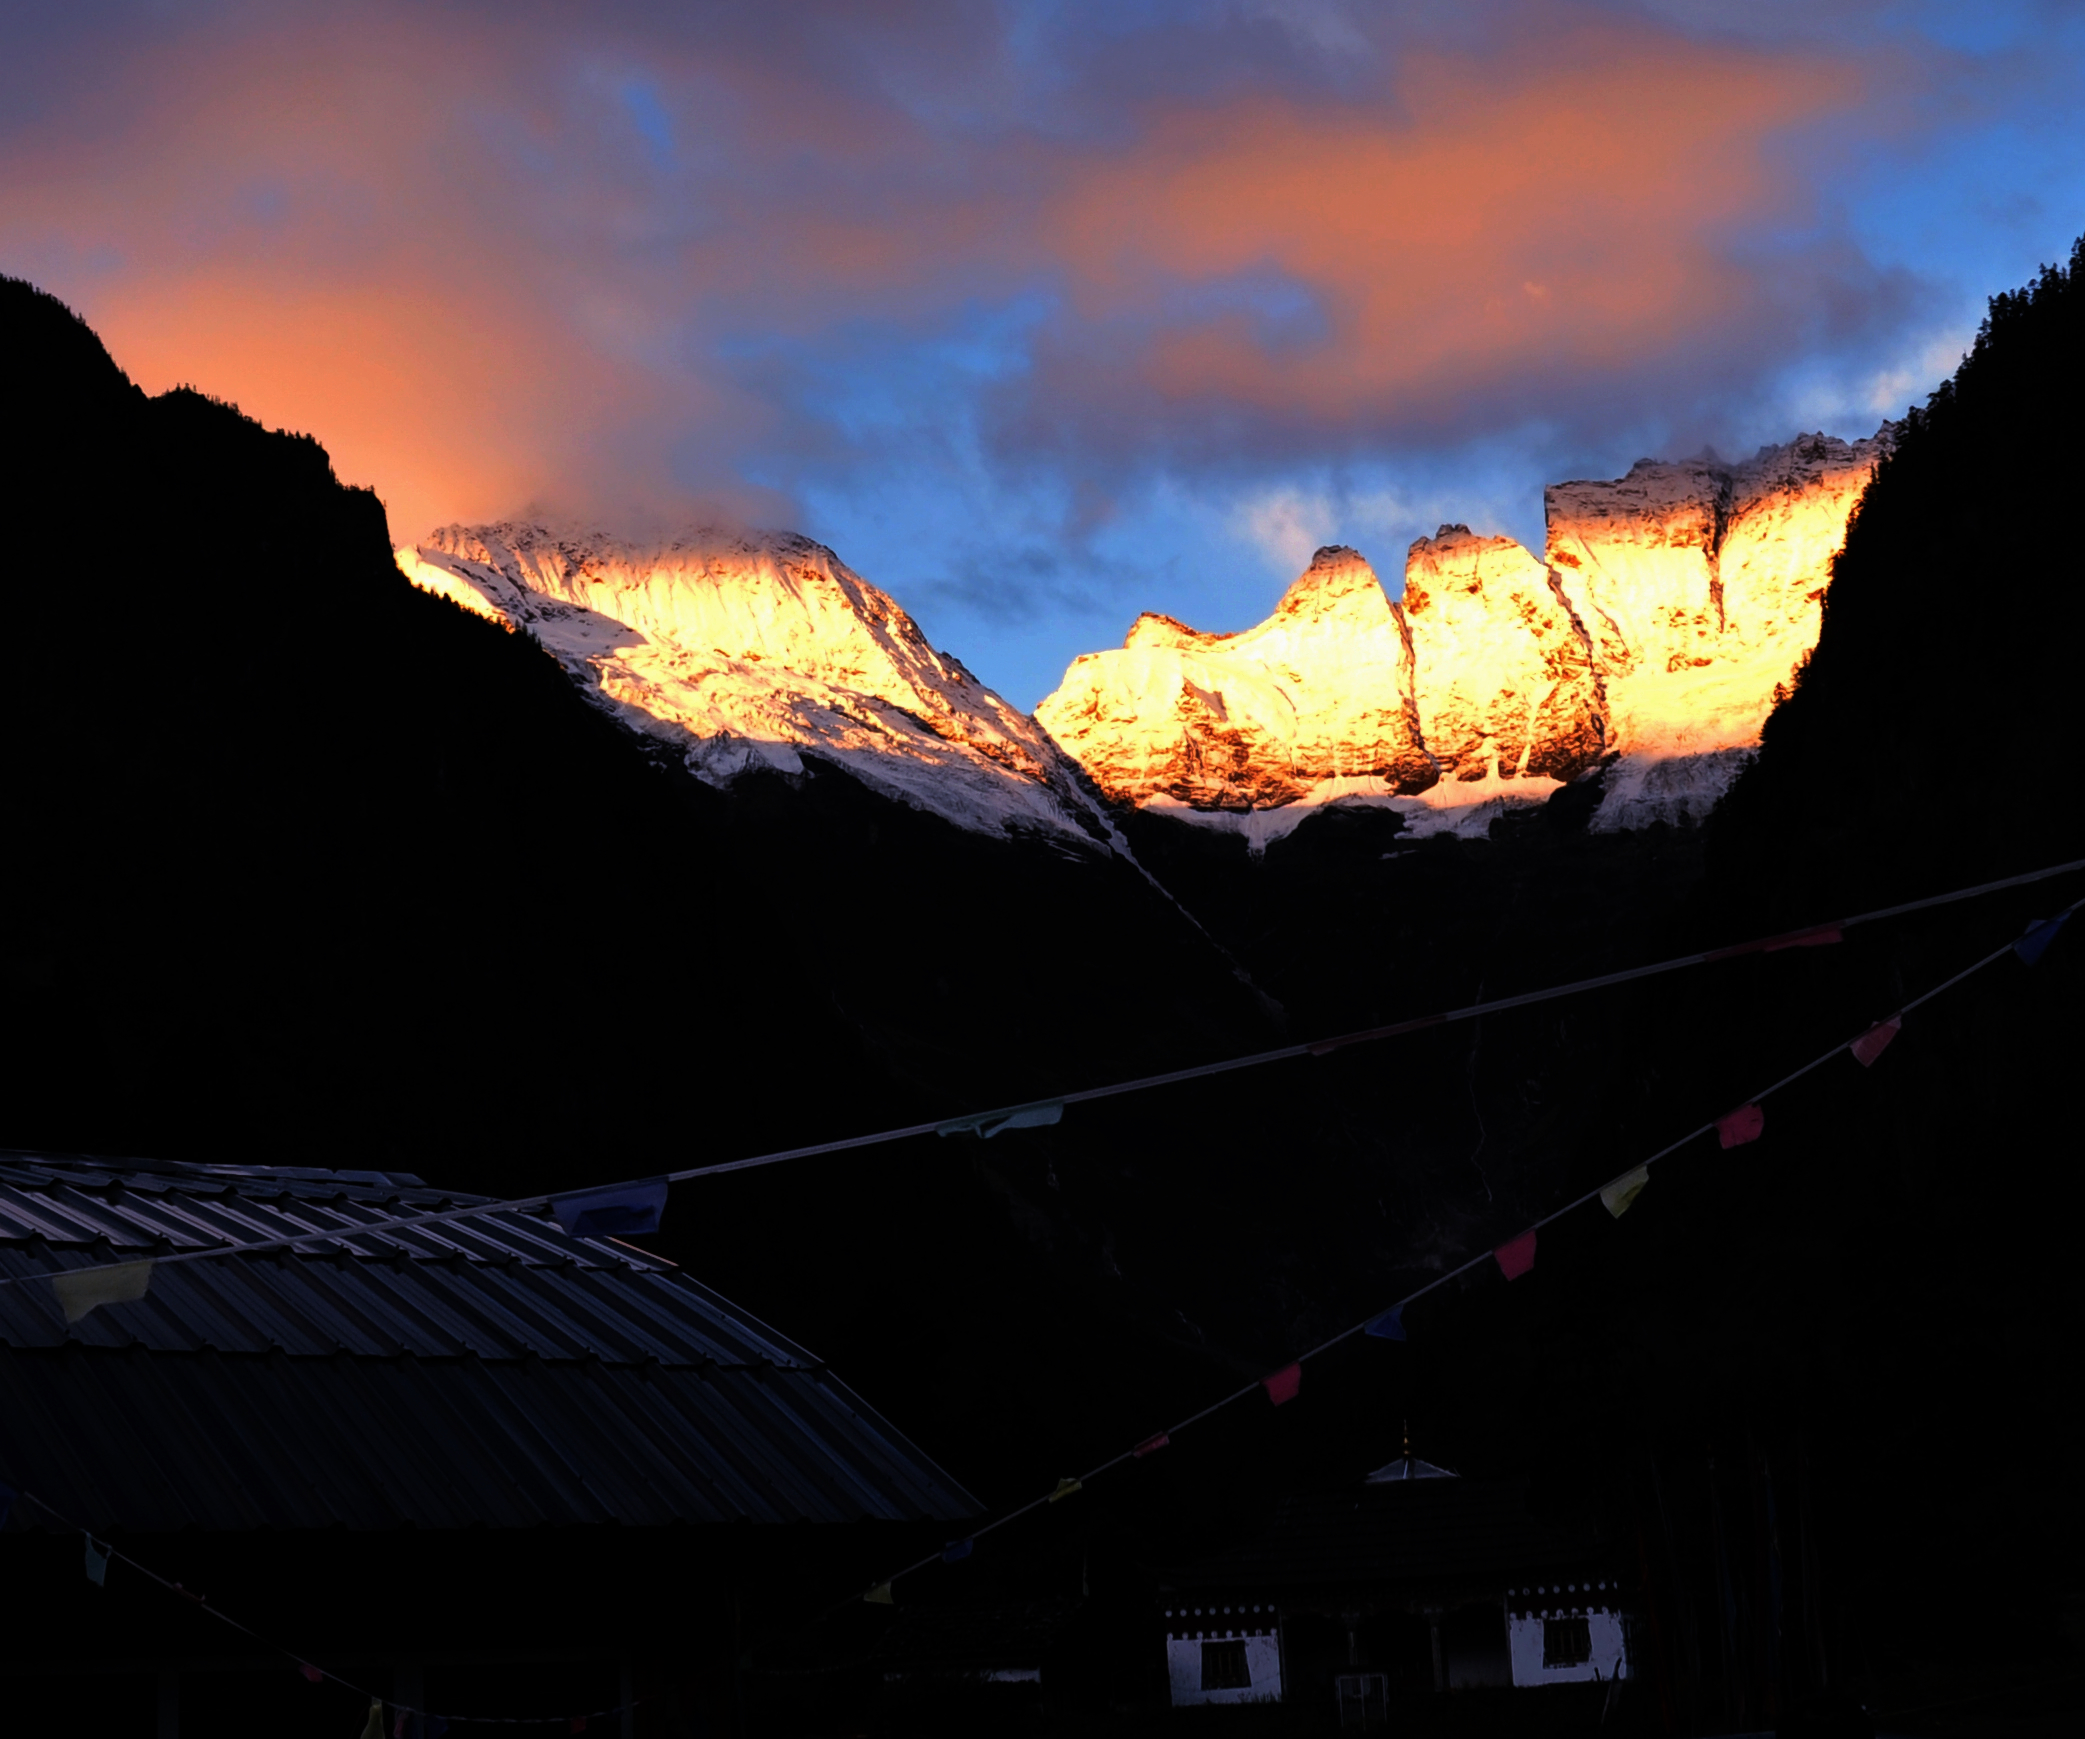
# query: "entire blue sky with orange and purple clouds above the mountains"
{"type": "Point", "coordinates": [1039, 314]}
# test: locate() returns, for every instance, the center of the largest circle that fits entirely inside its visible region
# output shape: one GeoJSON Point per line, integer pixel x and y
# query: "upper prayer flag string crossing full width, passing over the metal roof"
{"type": "Point", "coordinates": [1044, 1112]}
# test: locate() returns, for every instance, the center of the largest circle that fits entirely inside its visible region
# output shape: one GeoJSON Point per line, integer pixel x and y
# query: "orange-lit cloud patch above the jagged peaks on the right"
{"type": "Point", "coordinates": [1475, 230]}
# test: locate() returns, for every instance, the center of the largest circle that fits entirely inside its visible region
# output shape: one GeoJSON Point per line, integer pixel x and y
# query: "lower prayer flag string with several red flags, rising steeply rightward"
{"type": "Point", "coordinates": [1517, 1256]}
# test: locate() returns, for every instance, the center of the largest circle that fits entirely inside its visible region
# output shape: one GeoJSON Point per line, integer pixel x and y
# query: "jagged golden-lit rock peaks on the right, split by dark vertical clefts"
{"type": "Point", "coordinates": [1671, 614]}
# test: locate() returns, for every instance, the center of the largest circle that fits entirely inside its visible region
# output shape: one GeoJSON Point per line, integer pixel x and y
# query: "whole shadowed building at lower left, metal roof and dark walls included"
{"type": "Point", "coordinates": [474, 1469]}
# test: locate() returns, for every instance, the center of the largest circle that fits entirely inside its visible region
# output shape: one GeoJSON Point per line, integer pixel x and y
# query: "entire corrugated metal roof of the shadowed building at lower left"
{"type": "Point", "coordinates": [485, 1373]}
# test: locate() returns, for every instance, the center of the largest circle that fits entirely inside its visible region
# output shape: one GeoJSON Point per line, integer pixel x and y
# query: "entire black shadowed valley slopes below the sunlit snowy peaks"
{"type": "Point", "coordinates": [312, 868]}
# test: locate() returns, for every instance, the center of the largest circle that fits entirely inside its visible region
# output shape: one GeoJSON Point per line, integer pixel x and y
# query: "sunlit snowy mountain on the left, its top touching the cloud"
{"type": "Point", "coordinates": [752, 656]}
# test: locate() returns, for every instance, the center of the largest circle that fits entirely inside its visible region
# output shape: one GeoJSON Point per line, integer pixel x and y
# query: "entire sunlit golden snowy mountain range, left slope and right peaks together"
{"type": "Point", "coordinates": [1654, 637]}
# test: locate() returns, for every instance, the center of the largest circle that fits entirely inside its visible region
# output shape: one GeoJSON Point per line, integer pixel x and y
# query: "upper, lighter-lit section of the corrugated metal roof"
{"type": "Point", "coordinates": [499, 1288]}
